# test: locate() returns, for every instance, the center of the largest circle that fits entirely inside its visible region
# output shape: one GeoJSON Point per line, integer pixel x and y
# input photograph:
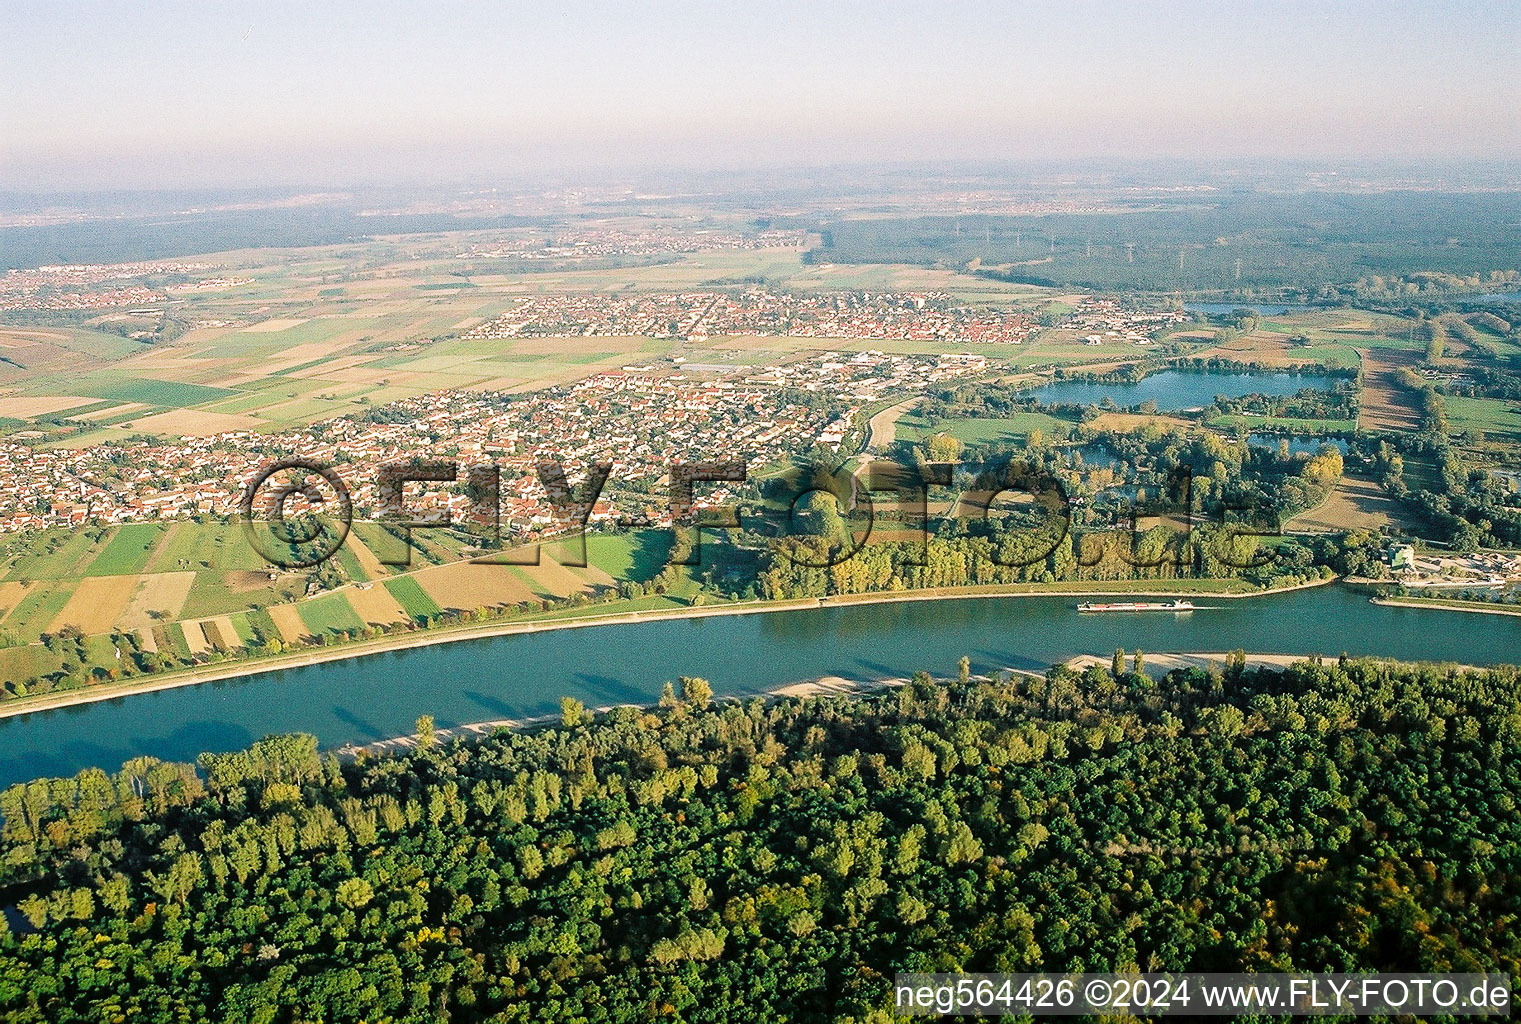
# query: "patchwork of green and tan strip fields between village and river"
{"type": "Point", "coordinates": [192, 590]}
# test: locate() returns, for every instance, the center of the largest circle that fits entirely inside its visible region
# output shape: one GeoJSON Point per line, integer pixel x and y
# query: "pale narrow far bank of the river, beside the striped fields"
{"type": "Point", "coordinates": [475, 632]}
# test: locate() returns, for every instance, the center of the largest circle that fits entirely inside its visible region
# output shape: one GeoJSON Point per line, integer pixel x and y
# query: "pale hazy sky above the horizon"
{"type": "Point", "coordinates": [183, 94]}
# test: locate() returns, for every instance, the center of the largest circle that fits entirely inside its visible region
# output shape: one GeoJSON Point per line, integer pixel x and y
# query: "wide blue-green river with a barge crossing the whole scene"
{"type": "Point", "coordinates": [526, 675]}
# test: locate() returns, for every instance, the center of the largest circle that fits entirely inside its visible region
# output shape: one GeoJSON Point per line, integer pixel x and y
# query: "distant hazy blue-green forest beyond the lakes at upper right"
{"type": "Point", "coordinates": [1307, 243]}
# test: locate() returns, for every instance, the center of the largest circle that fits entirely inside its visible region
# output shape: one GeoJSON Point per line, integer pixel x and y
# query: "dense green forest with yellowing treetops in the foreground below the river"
{"type": "Point", "coordinates": [776, 862]}
